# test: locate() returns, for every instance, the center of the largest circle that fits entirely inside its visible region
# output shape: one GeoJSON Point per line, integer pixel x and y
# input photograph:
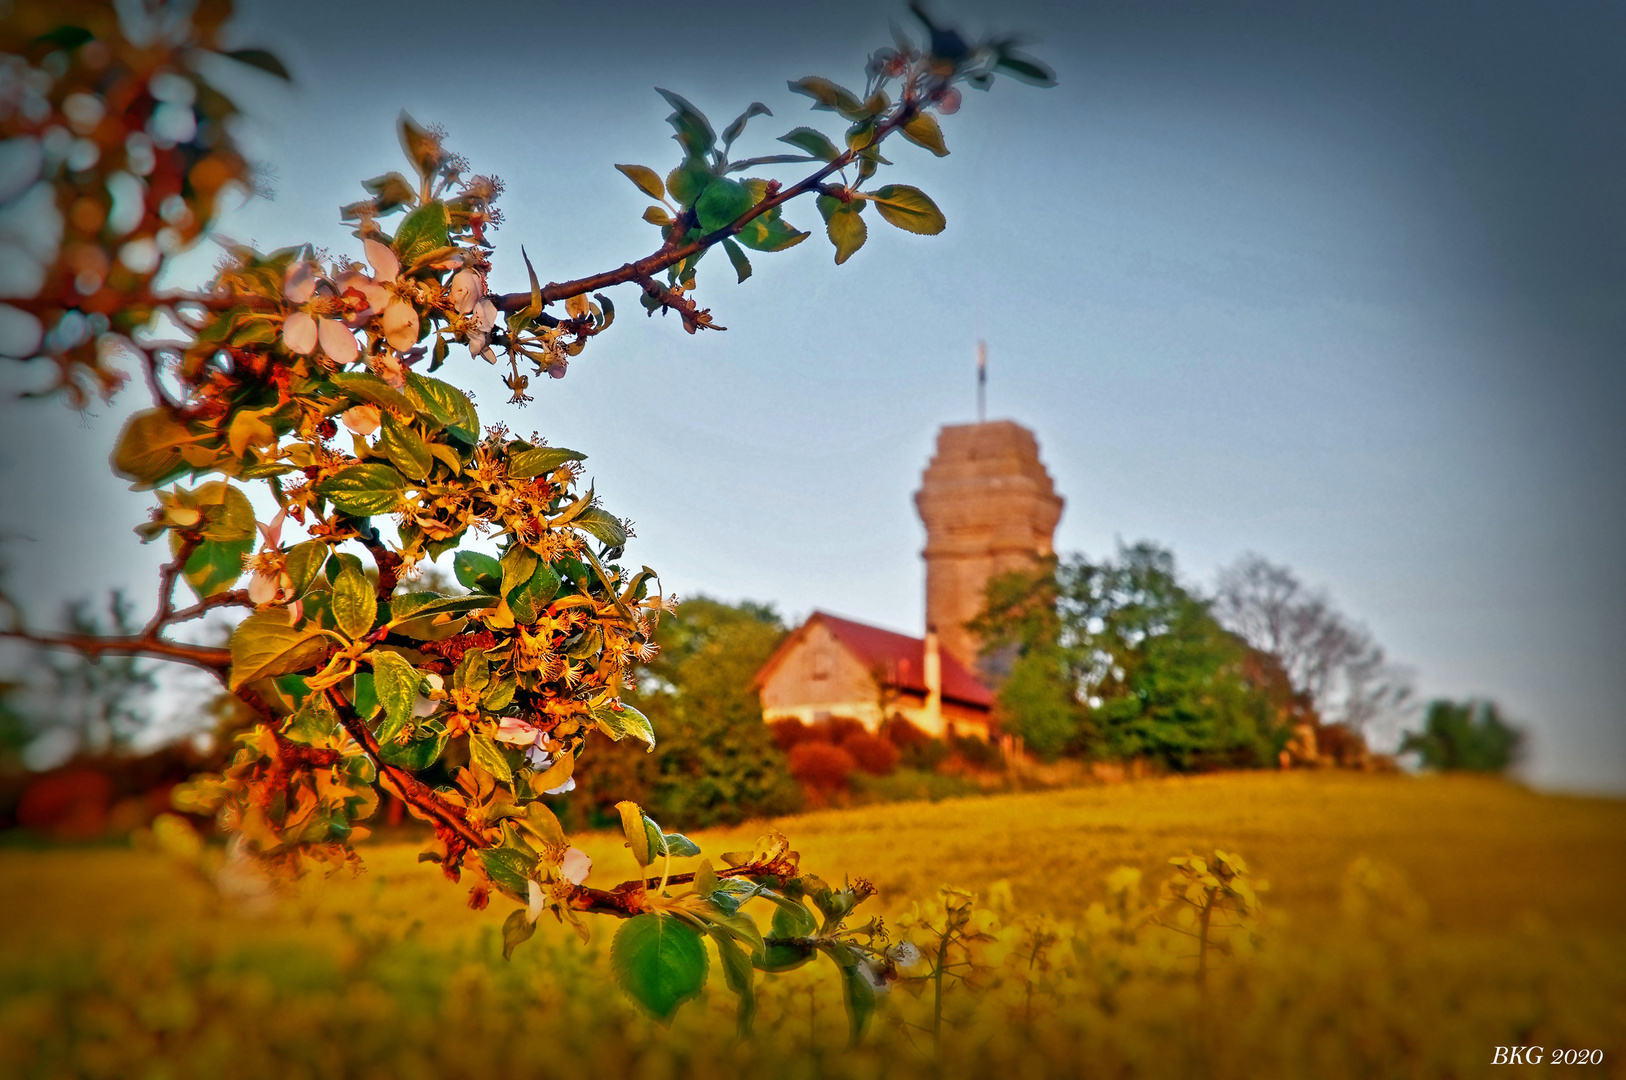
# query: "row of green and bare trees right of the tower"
{"type": "Point", "coordinates": [1120, 660]}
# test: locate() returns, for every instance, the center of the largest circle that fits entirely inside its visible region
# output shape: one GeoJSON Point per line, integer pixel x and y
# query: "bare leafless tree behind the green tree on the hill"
{"type": "Point", "coordinates": [1334, 661]}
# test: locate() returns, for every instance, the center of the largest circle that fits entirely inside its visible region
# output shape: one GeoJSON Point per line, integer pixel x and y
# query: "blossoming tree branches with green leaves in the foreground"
{"type": "Point", "coordinates": [360, 681]}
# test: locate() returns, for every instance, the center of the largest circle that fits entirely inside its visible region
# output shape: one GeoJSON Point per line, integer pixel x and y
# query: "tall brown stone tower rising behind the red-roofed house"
{"type": "Point", "coordinates": [989, 507]}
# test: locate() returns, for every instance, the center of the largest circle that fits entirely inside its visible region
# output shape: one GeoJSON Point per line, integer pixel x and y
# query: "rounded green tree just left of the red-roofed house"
{"type": "Point", "coordinates": [716, 759]}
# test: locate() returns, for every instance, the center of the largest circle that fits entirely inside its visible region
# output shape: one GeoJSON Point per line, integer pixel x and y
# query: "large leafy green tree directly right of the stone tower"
{"type": "Point", "coordinates": [1146, 664]}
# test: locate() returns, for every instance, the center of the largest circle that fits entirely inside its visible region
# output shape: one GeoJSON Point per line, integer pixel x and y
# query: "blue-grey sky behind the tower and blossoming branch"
{"type": "Point", "coordinates": [1344, 285]}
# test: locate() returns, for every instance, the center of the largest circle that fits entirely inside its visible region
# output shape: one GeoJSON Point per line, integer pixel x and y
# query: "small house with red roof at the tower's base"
{"type": "Point", "coordinates": [835, 668]}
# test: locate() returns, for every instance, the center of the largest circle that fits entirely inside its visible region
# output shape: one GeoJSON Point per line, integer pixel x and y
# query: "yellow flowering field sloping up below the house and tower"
{"type": "Point", "coordinates": [1487, 917]}
